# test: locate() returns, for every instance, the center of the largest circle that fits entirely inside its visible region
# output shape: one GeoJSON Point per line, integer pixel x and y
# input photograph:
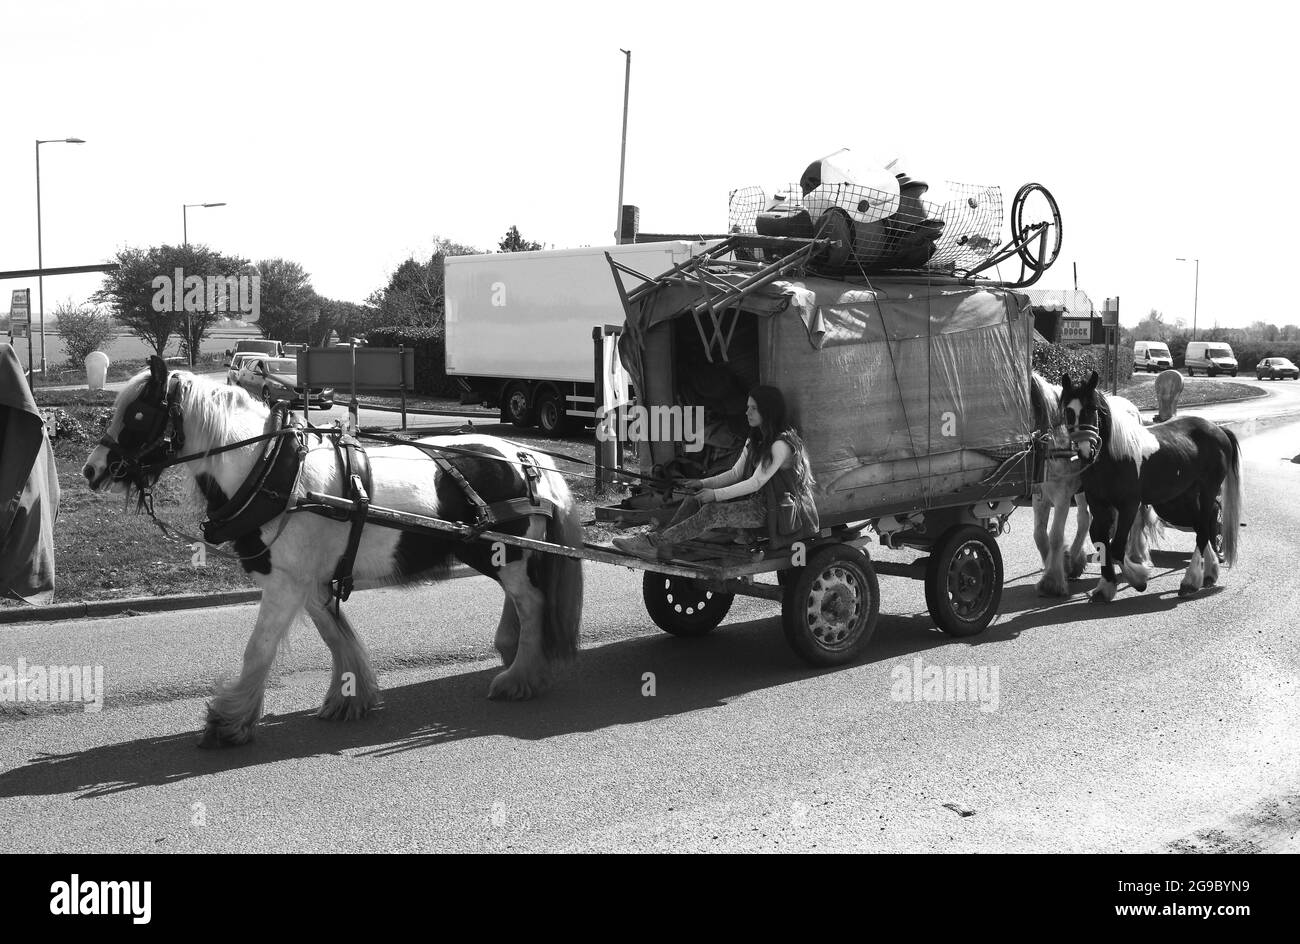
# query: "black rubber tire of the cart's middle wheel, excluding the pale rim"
{"type": "Point", "coordinates": [798, 596]}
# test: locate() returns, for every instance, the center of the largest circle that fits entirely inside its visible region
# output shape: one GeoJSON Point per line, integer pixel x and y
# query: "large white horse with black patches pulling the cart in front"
{"type": "Point", "coordinates": [294, 557]}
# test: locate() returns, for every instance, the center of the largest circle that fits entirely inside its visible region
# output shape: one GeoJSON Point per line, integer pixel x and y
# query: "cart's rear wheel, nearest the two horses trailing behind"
{"type": "Point", "coordinates": [964, 582]}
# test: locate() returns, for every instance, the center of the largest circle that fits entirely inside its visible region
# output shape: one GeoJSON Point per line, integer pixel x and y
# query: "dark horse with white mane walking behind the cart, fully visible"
{"type": "Point", "coordinates": [1181, 469]}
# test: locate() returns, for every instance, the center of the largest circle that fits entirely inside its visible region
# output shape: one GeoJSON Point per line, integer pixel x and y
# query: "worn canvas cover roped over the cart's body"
{"type": "Point", "coordinates": [904, 392]}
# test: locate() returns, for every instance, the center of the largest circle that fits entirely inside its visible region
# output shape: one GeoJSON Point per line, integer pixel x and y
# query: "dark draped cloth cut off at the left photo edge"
{"type": "Point", "coordinates": [29, 491]}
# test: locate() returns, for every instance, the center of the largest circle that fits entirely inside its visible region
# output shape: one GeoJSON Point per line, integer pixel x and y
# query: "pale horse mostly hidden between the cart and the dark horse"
{"type": "Point", "coordinates": [1061, 487]}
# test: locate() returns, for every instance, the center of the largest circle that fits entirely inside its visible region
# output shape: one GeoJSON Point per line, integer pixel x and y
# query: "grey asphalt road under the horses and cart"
{"type": "Point", "coordinates": [1149, 725]}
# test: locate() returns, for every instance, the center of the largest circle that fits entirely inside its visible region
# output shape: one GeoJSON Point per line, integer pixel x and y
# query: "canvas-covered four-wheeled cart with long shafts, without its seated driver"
{"type": "Point", "coordinates": [912, 392]}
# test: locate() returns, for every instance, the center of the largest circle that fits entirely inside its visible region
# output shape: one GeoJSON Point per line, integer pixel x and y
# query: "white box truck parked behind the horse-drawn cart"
{"type": "Point", "coordinates": [519, 326]}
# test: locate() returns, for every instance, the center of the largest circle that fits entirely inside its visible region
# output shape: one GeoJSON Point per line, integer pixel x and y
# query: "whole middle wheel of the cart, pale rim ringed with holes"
{"type": "Point", "coordinates": [831, 605]}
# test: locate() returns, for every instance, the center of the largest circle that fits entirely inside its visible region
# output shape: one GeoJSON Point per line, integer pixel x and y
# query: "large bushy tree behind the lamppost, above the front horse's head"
{"type": "Point", "coordinates": [145, 298]}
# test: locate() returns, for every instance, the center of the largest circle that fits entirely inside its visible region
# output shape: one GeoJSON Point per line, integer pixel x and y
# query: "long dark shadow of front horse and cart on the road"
{"type": "Point", "coordinates": [604, 690]}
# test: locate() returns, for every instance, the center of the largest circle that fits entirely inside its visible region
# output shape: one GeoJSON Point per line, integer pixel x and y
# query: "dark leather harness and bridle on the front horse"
{"type": "Point", "coordinates": [268, 491]}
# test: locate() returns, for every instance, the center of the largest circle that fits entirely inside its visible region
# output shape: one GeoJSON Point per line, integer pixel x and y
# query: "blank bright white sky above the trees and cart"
{"type": "Point", "coordinates": [345, 137]}
